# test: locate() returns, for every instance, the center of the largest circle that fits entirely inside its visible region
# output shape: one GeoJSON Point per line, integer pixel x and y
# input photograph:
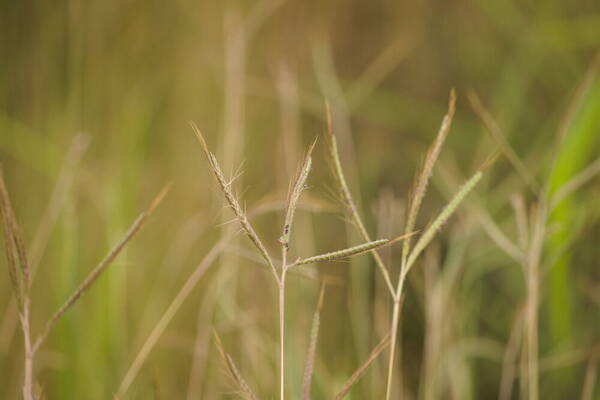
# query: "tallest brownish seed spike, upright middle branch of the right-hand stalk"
{"type": "Point", "coordinates": [423, 179]}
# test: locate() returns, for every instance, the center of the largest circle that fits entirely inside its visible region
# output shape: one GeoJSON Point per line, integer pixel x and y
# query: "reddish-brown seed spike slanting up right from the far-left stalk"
{"type": "Point", "coordinates": [101, 267]}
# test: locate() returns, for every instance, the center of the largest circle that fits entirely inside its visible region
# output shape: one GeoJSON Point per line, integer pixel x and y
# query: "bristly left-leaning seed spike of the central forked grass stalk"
{"type": "Point", "coordinates": [233, 203]}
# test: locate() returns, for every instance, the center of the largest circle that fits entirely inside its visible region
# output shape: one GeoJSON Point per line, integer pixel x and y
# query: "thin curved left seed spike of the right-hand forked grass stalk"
{"type": "Point", "coordinates": [349, 200]}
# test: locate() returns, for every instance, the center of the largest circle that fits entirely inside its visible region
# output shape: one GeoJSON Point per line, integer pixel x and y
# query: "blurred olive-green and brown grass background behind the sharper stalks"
{"type": "Point", "coordinates": [95, 101]}
